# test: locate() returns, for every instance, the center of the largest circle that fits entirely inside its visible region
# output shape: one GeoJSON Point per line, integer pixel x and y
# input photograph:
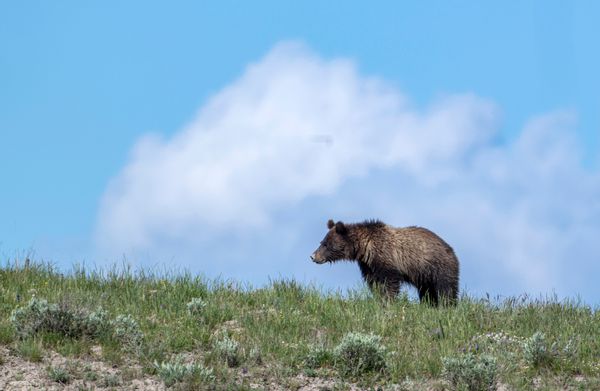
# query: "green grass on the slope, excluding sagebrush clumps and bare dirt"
{"type": "Point", "coordinates": [285, 322]}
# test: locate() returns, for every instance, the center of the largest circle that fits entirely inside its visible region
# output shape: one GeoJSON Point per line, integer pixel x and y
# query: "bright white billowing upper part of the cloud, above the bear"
{"type": "Point", "coordinates": [292, 126]}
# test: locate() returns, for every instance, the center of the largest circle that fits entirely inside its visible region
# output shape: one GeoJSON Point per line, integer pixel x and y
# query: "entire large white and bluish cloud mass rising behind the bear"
{"type": "Point", "coordinates": [299, 137]}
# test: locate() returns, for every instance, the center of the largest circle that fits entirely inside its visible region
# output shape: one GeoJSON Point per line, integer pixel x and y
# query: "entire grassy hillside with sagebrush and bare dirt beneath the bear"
{"type": "Point", "coordinates": [115, 329]}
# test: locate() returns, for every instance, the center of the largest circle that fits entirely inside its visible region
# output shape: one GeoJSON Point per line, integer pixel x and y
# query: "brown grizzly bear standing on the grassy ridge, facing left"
{"type": "Point", "coordinates": [388, 256]}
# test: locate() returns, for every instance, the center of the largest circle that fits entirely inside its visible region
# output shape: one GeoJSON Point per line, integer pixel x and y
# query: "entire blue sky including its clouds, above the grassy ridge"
{"type": "Point", "coordinates": [499, 102]}
